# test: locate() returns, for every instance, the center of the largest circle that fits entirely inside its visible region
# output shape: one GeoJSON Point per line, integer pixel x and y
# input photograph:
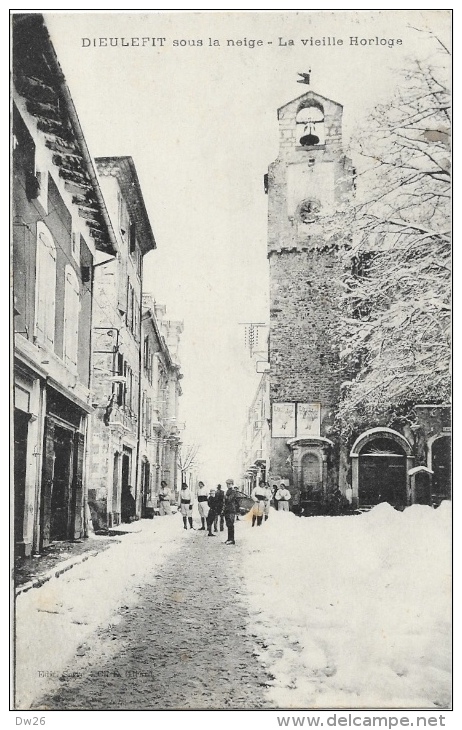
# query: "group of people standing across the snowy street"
{"type": "Point", "coordinates": [217, 507]}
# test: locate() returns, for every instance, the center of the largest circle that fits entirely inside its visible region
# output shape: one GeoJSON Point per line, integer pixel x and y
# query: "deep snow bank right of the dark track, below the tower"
{"type": "Point", "coordinates": [353, 612]}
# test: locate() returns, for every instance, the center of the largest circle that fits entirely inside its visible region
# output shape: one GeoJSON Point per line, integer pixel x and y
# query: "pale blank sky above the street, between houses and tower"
{"type": "Point", "coordinates": [200, 122]}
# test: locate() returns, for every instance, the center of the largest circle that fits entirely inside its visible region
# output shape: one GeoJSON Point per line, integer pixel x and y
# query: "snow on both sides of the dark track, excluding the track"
{"type": "Point", "coordinates": [346, 612]}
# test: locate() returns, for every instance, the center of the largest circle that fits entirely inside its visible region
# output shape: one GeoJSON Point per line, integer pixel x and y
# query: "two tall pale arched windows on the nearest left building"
{"type": "Point", "coordinates": [45, 299]}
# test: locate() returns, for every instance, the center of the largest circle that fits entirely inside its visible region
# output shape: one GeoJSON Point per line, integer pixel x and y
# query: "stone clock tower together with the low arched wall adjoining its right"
{"type": "Point", "coordinates": [400, 462]}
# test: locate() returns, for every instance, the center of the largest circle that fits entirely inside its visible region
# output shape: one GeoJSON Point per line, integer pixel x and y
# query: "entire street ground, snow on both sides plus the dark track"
{"type": "Point", "coordinates": [182, 621]}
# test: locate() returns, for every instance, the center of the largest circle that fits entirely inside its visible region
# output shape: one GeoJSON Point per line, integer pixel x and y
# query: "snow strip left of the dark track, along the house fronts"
{"type": "Point", "coordinates": [65, 611]}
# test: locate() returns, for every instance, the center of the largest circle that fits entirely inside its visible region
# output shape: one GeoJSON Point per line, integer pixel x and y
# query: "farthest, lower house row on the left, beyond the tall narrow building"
{"type": "Point", "coordinates": [160, 391]}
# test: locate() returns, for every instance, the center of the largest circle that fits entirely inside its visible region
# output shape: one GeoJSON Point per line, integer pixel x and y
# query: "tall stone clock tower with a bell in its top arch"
{"type": "Point", "coordinates": [307, 185]}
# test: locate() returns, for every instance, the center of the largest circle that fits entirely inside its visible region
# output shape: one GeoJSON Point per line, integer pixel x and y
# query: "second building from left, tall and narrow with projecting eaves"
{"type": "Point", "coordinates": [117, 348]}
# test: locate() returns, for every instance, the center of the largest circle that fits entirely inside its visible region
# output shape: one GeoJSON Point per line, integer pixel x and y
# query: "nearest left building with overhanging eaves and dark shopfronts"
{"type": "Point", "coordinates": [60, 226]}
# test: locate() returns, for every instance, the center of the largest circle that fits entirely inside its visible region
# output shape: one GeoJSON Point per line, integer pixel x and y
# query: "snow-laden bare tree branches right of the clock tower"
{"type": "Point", "coordinates": [394, 328]}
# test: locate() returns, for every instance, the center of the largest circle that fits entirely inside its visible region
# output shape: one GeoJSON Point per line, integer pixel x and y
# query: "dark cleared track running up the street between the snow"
{"type": "Point", "coordinates": [186, 644]}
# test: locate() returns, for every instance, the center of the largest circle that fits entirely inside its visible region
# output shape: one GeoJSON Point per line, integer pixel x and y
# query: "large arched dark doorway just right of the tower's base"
{"type": "Point", "coordinates": [381, 459]}
